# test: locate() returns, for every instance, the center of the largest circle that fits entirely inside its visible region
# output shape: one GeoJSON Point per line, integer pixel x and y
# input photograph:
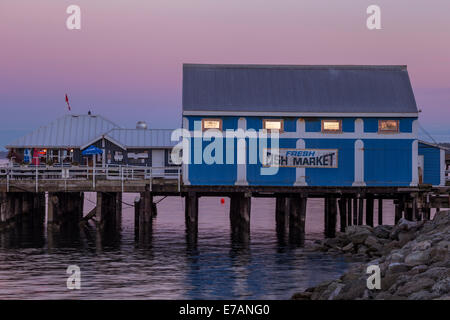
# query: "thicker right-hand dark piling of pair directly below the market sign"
{"type": "Point", "coordinates": [297, 218]}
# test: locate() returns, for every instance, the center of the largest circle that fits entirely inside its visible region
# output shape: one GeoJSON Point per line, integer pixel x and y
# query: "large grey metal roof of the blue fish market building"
{"type": "Point", "coordinates": [283, 88]}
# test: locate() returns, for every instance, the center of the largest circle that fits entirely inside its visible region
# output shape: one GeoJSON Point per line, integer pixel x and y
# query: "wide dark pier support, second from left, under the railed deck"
{"type": "Point", "coordinates": [64, 207]}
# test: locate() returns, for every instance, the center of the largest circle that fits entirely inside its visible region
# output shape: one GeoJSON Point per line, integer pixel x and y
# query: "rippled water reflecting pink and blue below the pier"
{"type": "Point", "coordinates": [166, 265]}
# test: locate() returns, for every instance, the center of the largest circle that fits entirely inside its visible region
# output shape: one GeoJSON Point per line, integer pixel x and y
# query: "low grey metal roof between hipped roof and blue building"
{"type": "Point", "coordinates": [140, 138]}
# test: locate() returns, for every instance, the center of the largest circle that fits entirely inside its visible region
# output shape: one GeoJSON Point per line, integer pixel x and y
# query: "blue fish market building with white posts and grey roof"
{"type": "Point", "coordinates": [365, 115]}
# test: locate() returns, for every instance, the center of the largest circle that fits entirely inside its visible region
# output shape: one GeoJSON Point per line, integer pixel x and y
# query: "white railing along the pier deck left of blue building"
{"type": "Point", "coordinates": [121, 174]}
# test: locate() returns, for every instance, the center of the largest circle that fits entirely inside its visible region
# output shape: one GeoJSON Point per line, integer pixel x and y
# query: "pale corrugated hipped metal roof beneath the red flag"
{"type": "Point", "coordinates": [71, 131]}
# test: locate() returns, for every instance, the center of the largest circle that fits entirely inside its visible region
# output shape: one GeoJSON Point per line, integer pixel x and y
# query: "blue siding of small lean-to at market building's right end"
{"type": "Point", "coordinates": [431, 164]}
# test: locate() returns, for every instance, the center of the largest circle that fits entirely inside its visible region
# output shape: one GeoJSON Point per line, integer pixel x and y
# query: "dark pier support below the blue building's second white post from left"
{"type": "Point", "coordinates": [240, 207]}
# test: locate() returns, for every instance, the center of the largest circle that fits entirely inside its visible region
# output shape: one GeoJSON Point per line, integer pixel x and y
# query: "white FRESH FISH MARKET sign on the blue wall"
{"type": "Point", "coordinates": [301, 158]}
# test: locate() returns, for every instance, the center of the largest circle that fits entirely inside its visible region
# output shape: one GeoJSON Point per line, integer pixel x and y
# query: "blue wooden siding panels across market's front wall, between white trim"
{"type": "Point", "coordinates": [387, 162]}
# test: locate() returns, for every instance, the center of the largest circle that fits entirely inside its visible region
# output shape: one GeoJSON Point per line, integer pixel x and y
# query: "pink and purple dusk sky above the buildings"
{"type": "Point", "coordinates": [126, 61]}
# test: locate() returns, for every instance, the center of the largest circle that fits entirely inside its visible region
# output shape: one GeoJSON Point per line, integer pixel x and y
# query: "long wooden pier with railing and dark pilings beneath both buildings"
{"type": "Point", "coordinates": [23, 190]}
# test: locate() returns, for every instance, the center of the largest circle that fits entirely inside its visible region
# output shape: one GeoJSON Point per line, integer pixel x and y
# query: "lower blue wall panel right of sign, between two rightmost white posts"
{"type": "Point", "coordinates": [387, 162]}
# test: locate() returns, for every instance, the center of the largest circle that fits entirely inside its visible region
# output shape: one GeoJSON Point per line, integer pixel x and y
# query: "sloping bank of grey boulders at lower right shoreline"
{"type": "Point", "coordinates": [413, 259]}
